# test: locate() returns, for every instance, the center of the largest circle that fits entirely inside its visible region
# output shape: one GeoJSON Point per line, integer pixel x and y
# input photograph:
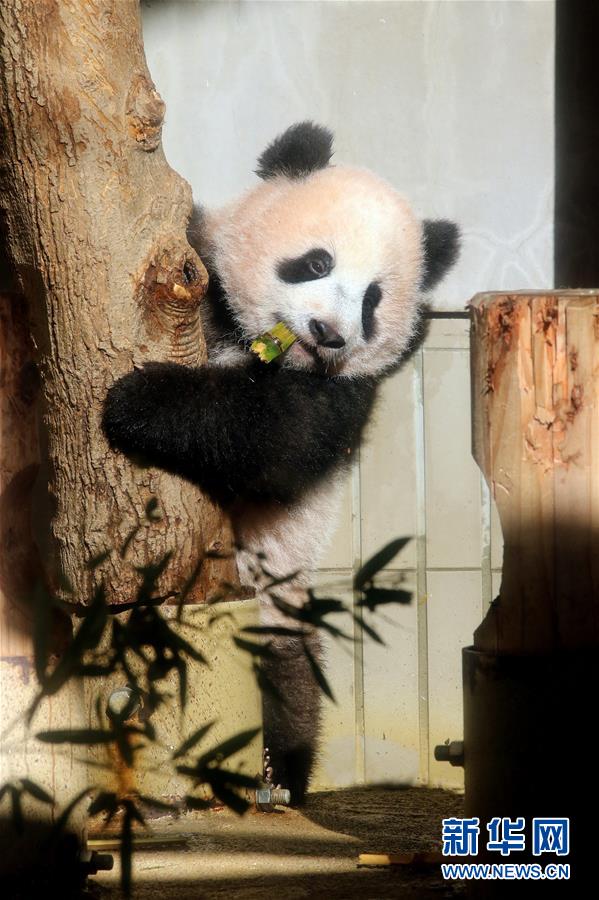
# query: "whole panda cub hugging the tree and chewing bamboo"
{"type": "Point", "coordinates": [336, 254]}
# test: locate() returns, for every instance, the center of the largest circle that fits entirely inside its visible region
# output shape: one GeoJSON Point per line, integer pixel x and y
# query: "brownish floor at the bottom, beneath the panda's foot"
{"type": "Point", "coordinates": [293, 855]}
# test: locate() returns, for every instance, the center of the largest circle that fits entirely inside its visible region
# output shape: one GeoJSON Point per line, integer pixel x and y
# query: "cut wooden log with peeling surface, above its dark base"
{"type": "Point", "coordinates": [535, 413]}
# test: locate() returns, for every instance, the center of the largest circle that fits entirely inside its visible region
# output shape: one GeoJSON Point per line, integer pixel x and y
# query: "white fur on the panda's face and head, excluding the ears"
{"type": "Point", "coordinates": [372, 235]}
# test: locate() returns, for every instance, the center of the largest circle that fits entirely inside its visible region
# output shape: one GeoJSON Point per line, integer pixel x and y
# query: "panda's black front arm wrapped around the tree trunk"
{"type": "Point", "coordinates": [259, 432]}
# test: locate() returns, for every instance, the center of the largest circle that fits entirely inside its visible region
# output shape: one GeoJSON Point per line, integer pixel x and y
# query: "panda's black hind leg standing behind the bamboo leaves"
{"type": "Point", "coordinates": [291, 713]}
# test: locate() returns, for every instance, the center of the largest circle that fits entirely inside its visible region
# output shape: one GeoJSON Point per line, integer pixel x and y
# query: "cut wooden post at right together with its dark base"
{"type": "Point", "coordinates": [531, 679]}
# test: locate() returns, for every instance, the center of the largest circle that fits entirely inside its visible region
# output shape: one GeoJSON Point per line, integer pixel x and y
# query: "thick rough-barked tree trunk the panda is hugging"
{"type": "Point", "coordinates": [95, 222]}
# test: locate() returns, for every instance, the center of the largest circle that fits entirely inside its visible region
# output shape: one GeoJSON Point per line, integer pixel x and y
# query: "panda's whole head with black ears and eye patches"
{"type": "Point", "coordinates": [334, 252]}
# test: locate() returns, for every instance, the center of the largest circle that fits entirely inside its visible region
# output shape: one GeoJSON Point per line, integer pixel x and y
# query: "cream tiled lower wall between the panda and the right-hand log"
{"type": "Point", "coordinates": [406, 696]}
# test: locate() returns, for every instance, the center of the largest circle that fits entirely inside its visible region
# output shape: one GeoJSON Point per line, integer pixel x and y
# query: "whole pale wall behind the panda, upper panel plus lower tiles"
{"type": "Point", "coordinates": [453, 103]}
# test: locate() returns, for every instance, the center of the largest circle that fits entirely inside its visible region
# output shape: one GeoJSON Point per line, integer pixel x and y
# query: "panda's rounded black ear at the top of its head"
{"type": "Point", "coordinates": [303, 148]}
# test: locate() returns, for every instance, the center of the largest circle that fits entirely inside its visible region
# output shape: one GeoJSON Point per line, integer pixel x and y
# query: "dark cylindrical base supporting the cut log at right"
{"type": "Point", "coordinates": [529, 739]}
